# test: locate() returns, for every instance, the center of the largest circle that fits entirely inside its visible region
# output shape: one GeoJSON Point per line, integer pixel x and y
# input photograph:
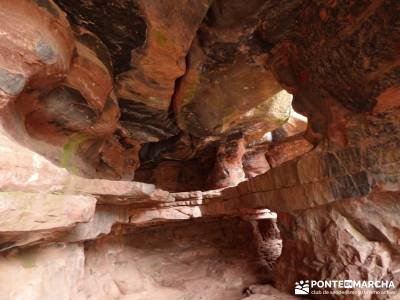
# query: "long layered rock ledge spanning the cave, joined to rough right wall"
{"type": "Point", "coordinates": [336, 206]}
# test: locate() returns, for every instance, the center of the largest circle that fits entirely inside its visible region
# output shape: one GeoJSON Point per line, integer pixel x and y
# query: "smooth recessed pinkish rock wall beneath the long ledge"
{"type": "Point", "coordinates": [202, 260]}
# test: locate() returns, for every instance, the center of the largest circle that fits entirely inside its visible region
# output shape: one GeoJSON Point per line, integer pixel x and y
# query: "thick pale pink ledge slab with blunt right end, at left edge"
{"type": "Point", "coordinates": [28, 218]}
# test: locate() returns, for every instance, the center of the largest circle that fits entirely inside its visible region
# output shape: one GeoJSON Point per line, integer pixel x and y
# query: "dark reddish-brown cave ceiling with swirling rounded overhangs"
{"type": "Point", "coordinates": [139, 82]}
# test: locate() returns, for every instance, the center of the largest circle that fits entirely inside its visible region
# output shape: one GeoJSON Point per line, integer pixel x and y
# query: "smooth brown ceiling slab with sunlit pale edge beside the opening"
{"type": "Point", "coordinates": [224, 85]}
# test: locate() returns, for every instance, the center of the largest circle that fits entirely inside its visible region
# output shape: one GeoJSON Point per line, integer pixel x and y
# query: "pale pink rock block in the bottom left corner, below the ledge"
{"type": "Point", "coordinates": [52, 272]}
